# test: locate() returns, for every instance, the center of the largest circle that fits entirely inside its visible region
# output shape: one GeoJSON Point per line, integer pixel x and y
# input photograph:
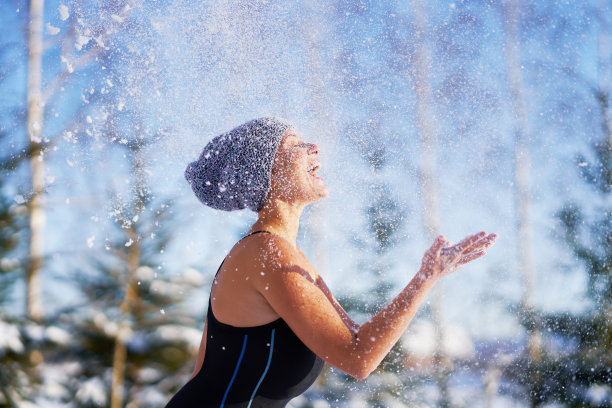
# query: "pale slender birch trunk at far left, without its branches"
{"type": "Point", "coordinates": [34, 308]}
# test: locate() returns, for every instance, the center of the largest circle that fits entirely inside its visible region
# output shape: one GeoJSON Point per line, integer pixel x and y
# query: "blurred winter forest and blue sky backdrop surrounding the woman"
{"type": "Point", "coordinates": [431, 117]}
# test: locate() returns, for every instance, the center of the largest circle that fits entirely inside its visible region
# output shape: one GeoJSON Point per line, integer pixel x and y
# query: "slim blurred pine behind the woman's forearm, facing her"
{"type": "Point", "coordinates": [384, 219]}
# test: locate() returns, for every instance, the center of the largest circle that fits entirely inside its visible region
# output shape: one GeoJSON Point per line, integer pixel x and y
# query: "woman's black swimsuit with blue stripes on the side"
{"type": "Point", "coordinates": [260, 366]}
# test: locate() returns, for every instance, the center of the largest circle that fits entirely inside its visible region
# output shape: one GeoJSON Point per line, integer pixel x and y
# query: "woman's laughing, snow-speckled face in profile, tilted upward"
{"type": "Point", "coordinates": [294, 173]}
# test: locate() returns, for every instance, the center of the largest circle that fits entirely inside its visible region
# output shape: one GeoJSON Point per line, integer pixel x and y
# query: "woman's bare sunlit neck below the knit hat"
{"type": "Point", "coordinates": [280, 218]}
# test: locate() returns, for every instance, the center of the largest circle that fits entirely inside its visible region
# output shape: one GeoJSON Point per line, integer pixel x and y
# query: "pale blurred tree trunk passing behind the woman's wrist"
{"type": "Point", "coordinates": [427, 167]}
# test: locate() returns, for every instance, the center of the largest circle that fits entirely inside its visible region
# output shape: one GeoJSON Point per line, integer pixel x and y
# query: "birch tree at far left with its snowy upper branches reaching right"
{"type": "Point", "coordinates": [38, 134]}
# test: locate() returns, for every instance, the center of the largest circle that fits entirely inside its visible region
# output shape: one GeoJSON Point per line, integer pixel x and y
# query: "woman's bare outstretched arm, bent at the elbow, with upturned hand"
{"type": "Point", "coordinates": [309, 312]}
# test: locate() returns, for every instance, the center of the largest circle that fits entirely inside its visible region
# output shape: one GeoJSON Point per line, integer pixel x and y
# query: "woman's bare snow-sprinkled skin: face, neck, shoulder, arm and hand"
{"type": "Point", "coordinates": [266, 276]}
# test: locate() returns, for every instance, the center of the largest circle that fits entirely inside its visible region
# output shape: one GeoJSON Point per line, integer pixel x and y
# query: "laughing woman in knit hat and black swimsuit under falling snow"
{"type": "Point", "coordinates": [272, 321]}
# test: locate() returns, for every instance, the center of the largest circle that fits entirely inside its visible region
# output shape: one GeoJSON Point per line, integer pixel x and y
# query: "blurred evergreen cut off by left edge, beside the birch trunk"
{"type": "Point", "coordinates": [18, 353]}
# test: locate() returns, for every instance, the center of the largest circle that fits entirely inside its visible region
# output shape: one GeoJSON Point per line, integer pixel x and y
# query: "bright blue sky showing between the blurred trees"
{"type": "Point", "coordinates": [191, 70]}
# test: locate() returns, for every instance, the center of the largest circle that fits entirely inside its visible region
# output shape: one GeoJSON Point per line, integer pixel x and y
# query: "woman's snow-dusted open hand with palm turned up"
{"type": "Point", "coordinates": [442, 259]}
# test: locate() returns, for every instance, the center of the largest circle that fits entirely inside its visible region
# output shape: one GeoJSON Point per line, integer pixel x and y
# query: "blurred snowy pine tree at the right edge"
{"type": "Point", "coordinates": [590, 239]}
